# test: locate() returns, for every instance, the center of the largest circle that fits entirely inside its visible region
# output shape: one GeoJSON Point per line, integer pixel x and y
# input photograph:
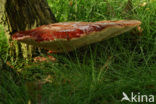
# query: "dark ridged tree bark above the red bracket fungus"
{"type": "Point", "coordinates": [27, 14]}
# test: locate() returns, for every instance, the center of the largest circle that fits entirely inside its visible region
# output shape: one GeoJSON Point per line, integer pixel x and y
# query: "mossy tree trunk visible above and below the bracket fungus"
{"type": "Point", "coordinates": [23, 15]}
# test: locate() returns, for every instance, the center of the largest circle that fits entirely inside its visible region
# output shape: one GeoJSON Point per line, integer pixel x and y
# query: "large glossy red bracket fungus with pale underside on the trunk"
{"type": "Point", "coordinates": [65, 37]}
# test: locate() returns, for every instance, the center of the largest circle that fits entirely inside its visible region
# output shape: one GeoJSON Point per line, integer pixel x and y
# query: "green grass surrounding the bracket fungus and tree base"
{"type": "Point", "coordinates": [95, 74]}
